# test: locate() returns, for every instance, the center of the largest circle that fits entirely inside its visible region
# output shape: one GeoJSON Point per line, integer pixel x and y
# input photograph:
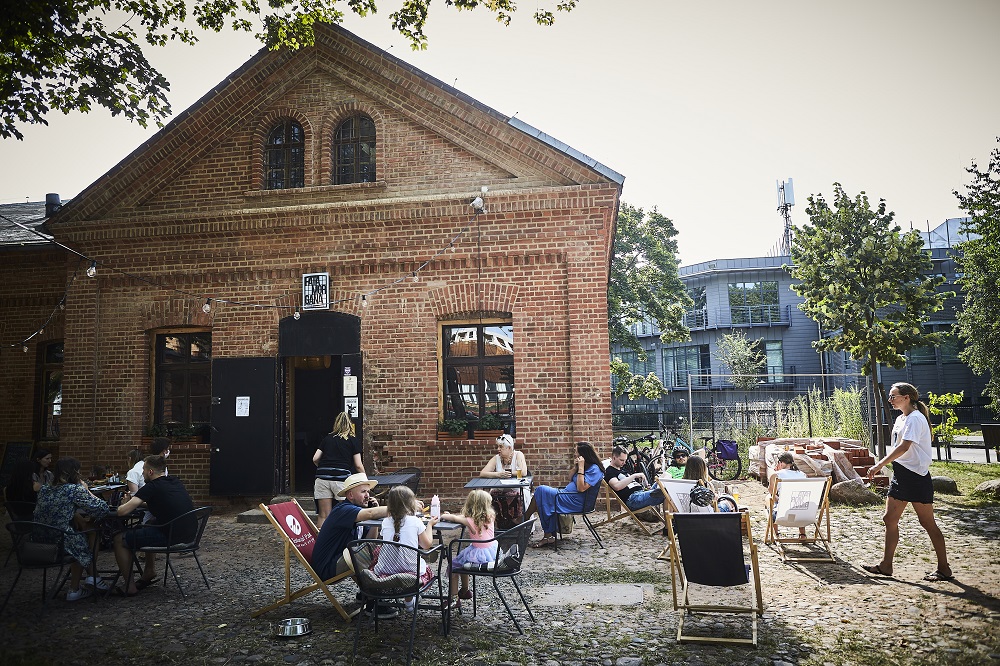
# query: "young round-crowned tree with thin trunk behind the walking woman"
{"type": "Point", "coordinates": [865, 282]}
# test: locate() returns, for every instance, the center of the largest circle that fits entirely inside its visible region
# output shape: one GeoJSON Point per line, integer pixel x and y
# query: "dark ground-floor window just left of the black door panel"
{"type": "Point", "coordinates": [183, 379]}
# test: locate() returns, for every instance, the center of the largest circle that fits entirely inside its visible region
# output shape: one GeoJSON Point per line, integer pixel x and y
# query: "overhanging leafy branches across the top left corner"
{"type": "Point", "coordinates": [72, 55]}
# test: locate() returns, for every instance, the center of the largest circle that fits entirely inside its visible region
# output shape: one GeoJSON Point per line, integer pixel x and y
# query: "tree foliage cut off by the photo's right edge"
{"type": "Point", "coordinates": [979, 264]}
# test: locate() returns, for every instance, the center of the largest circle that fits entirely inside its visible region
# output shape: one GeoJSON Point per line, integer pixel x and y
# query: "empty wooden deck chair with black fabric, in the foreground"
{"type": "Point", "coordinates": [708, 552]}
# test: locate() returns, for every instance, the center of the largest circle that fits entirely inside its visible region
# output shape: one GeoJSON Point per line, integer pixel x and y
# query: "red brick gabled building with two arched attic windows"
{"type": "Point", "coordinates": [346, 164]}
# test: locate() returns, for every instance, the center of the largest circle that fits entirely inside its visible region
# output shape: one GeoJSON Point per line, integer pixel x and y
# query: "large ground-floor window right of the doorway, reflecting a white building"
{"type": "Point", "coordinates": [478, 371]}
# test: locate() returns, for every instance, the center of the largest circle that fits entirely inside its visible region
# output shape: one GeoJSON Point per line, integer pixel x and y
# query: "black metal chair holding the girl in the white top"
{"type": "Point", "coordinates": [382, 568]}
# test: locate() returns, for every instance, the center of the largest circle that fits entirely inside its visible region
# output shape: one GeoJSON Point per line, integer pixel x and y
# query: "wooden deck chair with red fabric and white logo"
{"type": "Point", "coordinates": [298, 533]}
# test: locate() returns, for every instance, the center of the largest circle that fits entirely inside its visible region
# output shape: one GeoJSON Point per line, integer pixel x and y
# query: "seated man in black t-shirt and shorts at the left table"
{"type": "Point", "coordinates": [166, 498]}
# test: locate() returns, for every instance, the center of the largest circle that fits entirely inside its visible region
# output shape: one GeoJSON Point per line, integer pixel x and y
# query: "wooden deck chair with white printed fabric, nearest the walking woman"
{"type": "Point", "coordinates": [800, 503]}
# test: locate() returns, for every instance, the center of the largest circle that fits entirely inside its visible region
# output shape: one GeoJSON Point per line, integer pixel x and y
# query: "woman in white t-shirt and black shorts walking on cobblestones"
{"type": "Point", "coordinates": [911, 480]}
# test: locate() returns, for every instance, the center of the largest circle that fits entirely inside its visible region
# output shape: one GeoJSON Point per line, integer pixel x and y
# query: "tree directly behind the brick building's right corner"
{"type": "Point", "coordinates": [644, 285]}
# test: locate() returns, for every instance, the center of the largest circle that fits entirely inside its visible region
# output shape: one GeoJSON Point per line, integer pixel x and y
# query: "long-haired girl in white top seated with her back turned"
{"type": "Point", "coordinates": [402, 526]}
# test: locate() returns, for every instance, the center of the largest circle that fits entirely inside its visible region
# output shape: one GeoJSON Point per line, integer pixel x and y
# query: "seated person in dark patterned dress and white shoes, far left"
{"type": "Point", "coordinates": [65, 504]}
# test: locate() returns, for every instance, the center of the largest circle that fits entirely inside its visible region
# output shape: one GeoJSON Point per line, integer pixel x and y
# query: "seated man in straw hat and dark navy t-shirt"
{"type": "Point", "coordinates": [341, 525]}
